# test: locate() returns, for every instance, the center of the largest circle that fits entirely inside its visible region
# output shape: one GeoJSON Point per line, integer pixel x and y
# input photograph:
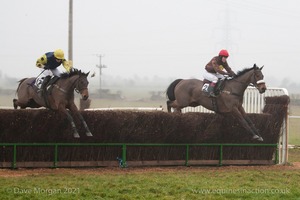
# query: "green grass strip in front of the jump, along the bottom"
{"type": "Point", "coordinates": [156, 183]}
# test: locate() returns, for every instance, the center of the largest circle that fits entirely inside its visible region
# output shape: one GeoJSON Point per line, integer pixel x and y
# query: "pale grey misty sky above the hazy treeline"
{"type": "Point", "coordinates": [167, 38]}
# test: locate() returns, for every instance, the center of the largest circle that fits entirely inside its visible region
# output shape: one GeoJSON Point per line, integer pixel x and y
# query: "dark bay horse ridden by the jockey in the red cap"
{"type": "Point", "coordinates": [188, 92]}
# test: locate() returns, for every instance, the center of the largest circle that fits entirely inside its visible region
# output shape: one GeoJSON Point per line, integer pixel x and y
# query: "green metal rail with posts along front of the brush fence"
{"type": "Point", "coordinates": [125, 145]}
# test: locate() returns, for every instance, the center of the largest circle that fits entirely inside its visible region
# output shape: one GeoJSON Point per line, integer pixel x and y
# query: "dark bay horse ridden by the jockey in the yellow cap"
{"type": "Point", "coordinates": [60, 98]}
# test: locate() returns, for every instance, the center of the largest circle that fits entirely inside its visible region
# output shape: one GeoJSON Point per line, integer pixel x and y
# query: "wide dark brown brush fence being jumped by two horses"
{"type": "Point", "coordinates": [43, 138]}
